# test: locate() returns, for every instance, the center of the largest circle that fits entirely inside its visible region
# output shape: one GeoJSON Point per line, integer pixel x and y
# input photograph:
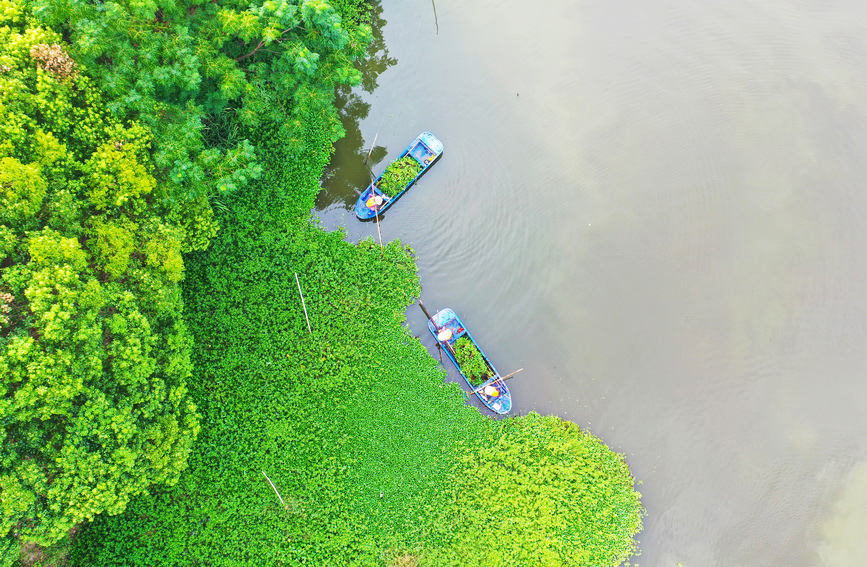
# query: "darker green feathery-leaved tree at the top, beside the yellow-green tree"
{"type": "Point", "coordinates": [202, 75]}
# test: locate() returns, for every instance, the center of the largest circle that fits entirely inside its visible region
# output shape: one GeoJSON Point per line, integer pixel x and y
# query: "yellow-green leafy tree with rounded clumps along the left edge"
{"type": "Point", "coordinates": [94, 353]}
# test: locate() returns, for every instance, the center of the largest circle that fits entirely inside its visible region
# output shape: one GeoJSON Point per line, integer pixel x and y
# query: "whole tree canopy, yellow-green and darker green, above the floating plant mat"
{"type": "Point", "coordinates": [110, 148]}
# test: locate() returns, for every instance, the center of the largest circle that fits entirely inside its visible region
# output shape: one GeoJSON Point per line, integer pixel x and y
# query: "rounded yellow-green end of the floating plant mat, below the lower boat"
{"type": "Point", "coordinates": [539, 491]}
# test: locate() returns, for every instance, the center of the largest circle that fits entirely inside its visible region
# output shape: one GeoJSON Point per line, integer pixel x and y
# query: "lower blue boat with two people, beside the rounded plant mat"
{"type": "Point", "coordinates": [447, 328]}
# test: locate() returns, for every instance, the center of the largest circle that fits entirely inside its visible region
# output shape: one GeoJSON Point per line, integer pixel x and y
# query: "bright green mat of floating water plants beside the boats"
{"type": "Point", "coordinates": [376, 458]}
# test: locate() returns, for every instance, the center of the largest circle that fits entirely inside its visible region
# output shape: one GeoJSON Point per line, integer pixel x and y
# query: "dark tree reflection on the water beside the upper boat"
{"type": "Point", "coordinates": [350, 169]}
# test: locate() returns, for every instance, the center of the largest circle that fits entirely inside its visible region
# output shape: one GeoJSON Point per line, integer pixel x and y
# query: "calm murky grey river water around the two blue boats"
{"type": "Point", "coordinates": [658, 209]}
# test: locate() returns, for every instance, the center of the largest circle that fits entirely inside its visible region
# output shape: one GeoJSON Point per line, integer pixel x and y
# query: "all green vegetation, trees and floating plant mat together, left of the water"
{"type": "Point", "coordinates": [174, 384]}
